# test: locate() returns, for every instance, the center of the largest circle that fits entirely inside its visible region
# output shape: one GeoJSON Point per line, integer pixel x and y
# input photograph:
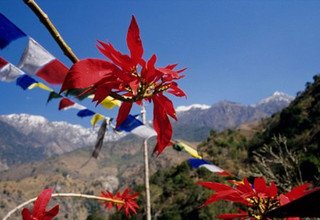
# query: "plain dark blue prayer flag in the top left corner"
{"type": "Point", "coordinates": [8, 31]}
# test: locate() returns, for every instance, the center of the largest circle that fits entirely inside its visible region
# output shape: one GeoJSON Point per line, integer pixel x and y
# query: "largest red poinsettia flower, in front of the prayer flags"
{"type": "Point", "coordinates": [131, 79]}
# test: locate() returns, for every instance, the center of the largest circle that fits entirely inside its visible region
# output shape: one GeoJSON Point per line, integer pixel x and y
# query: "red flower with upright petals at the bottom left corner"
{"type": "Point", "coordinates": [39, 209]}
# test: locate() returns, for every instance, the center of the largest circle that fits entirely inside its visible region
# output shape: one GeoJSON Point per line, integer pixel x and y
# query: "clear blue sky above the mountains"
{"type": "Point", "coordinates": [240, 51]}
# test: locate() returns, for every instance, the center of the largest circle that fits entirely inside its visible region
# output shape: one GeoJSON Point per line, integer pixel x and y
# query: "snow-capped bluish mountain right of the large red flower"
{"type": "Point", "coordinates": [195, 121]}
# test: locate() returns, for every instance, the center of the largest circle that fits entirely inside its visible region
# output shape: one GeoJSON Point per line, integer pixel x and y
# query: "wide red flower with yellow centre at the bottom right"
{"type": "Point", "coordinates": [258, 197]}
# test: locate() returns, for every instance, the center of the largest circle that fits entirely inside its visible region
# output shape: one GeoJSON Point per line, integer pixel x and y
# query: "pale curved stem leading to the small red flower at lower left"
{"type": "Point", "coordinates": [77, 195]}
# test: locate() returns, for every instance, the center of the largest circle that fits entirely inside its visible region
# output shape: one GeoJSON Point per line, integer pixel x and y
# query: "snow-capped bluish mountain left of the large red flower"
{"type": "Point", "coordinates": [39, 138]}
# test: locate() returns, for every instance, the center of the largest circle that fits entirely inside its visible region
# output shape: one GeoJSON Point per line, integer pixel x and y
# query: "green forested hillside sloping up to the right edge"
{"type": "Point", "coordinates": [284, 148]}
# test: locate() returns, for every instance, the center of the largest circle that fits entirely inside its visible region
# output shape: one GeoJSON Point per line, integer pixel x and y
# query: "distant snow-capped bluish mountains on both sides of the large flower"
{"type": "Point", "coordinates": [25, 138]}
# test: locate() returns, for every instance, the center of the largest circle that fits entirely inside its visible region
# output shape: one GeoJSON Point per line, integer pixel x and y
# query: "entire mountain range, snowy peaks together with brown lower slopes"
{"type": "Point", "coordinates": [25, 140]}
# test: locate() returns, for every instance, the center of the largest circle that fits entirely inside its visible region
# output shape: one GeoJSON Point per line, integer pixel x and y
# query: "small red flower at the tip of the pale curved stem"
{"type": "Point", "coordinates": [130, 201]}
